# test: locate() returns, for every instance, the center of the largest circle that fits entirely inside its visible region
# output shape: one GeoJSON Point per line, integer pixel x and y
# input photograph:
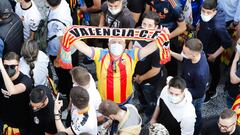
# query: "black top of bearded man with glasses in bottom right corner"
{"type": "Point", "coordinates": [210, 127]}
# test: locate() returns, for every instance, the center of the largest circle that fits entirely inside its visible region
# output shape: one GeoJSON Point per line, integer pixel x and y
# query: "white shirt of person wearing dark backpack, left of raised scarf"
{"type": "Point", "coordinates": [62, 13]}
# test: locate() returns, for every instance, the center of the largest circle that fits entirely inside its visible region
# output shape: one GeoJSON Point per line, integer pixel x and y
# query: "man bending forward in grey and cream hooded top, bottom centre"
{"type": "Point", "coordinates": [125, 120]}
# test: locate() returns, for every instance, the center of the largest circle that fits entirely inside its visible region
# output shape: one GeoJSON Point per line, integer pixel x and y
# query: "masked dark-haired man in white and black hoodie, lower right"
{"type": "Point", "coordinates": [175, 109]}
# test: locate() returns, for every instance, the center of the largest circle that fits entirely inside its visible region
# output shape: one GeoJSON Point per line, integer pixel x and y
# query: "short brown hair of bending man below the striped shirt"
{"type": "Point", "coordinates": [108, 107]}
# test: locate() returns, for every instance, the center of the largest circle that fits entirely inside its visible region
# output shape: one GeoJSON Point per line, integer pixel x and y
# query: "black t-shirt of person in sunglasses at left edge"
{"type": "Point", "coordinates": [14, 110]}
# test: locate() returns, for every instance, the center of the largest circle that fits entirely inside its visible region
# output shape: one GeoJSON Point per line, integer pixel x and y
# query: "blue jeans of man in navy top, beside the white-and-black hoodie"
{"type": "Point", "coordinates": [197, 103]}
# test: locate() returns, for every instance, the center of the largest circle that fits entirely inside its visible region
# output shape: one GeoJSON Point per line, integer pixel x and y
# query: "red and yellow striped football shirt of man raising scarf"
{"type": "Point", "coordinates": [115, 78]}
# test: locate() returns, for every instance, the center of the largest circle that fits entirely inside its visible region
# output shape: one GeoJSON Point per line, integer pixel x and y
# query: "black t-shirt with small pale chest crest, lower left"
{"type": "Point", "coordinates": [43, 120]}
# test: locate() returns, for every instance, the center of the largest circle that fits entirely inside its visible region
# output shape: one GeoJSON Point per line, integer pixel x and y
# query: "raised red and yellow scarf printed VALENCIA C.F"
{"type": "Point", "coordinates": [77, 32]}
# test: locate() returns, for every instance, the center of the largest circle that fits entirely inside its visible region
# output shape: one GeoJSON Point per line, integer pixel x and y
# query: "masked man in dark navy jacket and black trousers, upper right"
{"type": "Point", "coordinates": [215, 38]}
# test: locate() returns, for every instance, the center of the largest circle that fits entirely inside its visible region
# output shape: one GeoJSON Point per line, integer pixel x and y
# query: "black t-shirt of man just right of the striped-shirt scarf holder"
{"type": "Point", "coordinates": [144, 65]}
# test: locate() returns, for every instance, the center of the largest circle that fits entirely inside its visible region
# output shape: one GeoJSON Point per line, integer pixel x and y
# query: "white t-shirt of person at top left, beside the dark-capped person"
{"type": "Point", "coordinates": [30, 18]}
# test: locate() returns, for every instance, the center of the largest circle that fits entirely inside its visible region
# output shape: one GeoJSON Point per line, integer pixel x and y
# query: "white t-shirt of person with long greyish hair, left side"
{"type": "Point", "coordinates": [40, 71]}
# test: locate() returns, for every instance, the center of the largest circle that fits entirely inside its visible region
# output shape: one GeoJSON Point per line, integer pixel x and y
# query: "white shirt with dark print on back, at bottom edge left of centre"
{"type": "Point", "coordinates": [84, 123]}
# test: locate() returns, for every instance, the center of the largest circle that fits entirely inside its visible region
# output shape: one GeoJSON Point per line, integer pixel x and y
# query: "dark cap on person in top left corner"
{"type": "Point", "coordinates": [5, 7]}
